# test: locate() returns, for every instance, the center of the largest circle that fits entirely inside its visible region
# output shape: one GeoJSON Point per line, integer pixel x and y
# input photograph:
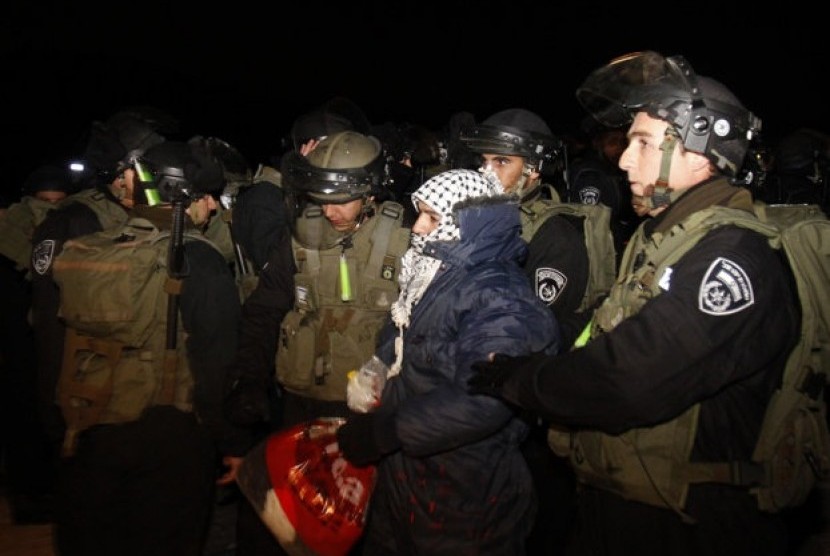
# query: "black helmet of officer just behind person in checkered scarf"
{"type": "Point", "coordinates": [513, 132]}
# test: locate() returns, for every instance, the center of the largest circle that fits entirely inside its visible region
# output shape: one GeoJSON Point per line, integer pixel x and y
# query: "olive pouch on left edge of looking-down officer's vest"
{"type": "Point", "coordinates": [297, 351]}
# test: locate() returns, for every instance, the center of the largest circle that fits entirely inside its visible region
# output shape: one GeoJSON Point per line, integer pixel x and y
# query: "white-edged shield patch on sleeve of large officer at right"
{"type": "Point", "coordinates": [725, 289]}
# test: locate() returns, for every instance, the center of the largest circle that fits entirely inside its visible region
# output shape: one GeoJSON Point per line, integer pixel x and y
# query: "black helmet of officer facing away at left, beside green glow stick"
{"type": "Point", "coordinates": [176, 170]}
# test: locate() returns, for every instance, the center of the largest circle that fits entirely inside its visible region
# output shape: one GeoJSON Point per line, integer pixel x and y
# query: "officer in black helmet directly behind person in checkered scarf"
{"type": "Point", "coordinates": [516, 145]}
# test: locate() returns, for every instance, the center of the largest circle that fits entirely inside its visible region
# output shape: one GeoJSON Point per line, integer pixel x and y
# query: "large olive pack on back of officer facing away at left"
{"type": "Point", "coordinates": [115, 290]}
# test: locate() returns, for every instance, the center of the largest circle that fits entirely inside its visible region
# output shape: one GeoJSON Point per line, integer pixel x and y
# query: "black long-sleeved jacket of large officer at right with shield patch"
{"type": "Point", "coordinates": [671, 355]}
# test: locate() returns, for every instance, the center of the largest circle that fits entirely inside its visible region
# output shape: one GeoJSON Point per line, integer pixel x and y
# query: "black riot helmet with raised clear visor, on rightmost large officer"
{"type": "Point", "coordinates": [707, 117]}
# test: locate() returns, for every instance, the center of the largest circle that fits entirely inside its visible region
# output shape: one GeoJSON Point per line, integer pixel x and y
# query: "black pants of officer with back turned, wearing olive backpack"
{"type": "Point", "coordinates": [138, 488]}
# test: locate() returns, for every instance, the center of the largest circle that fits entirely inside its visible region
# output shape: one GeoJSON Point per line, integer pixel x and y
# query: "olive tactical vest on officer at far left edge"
{"type": "Point", "coordinates": [17, 226]}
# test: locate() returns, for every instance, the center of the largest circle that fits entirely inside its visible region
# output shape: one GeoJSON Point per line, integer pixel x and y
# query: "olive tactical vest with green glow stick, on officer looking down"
{"type": "Point", "coordinates": [325, 337]}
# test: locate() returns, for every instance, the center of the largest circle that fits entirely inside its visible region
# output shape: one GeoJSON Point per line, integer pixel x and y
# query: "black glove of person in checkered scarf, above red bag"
{"type": "Point", "coordinates": [365, 437]}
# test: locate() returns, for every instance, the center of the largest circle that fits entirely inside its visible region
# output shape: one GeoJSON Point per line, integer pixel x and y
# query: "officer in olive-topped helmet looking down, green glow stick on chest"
{"type": "Point", "coordinates": [321, 298]}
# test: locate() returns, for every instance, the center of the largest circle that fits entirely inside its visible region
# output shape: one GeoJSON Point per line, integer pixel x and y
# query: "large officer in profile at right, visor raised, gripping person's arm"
{"type": "Point", "coordinates": [687, 349]}
